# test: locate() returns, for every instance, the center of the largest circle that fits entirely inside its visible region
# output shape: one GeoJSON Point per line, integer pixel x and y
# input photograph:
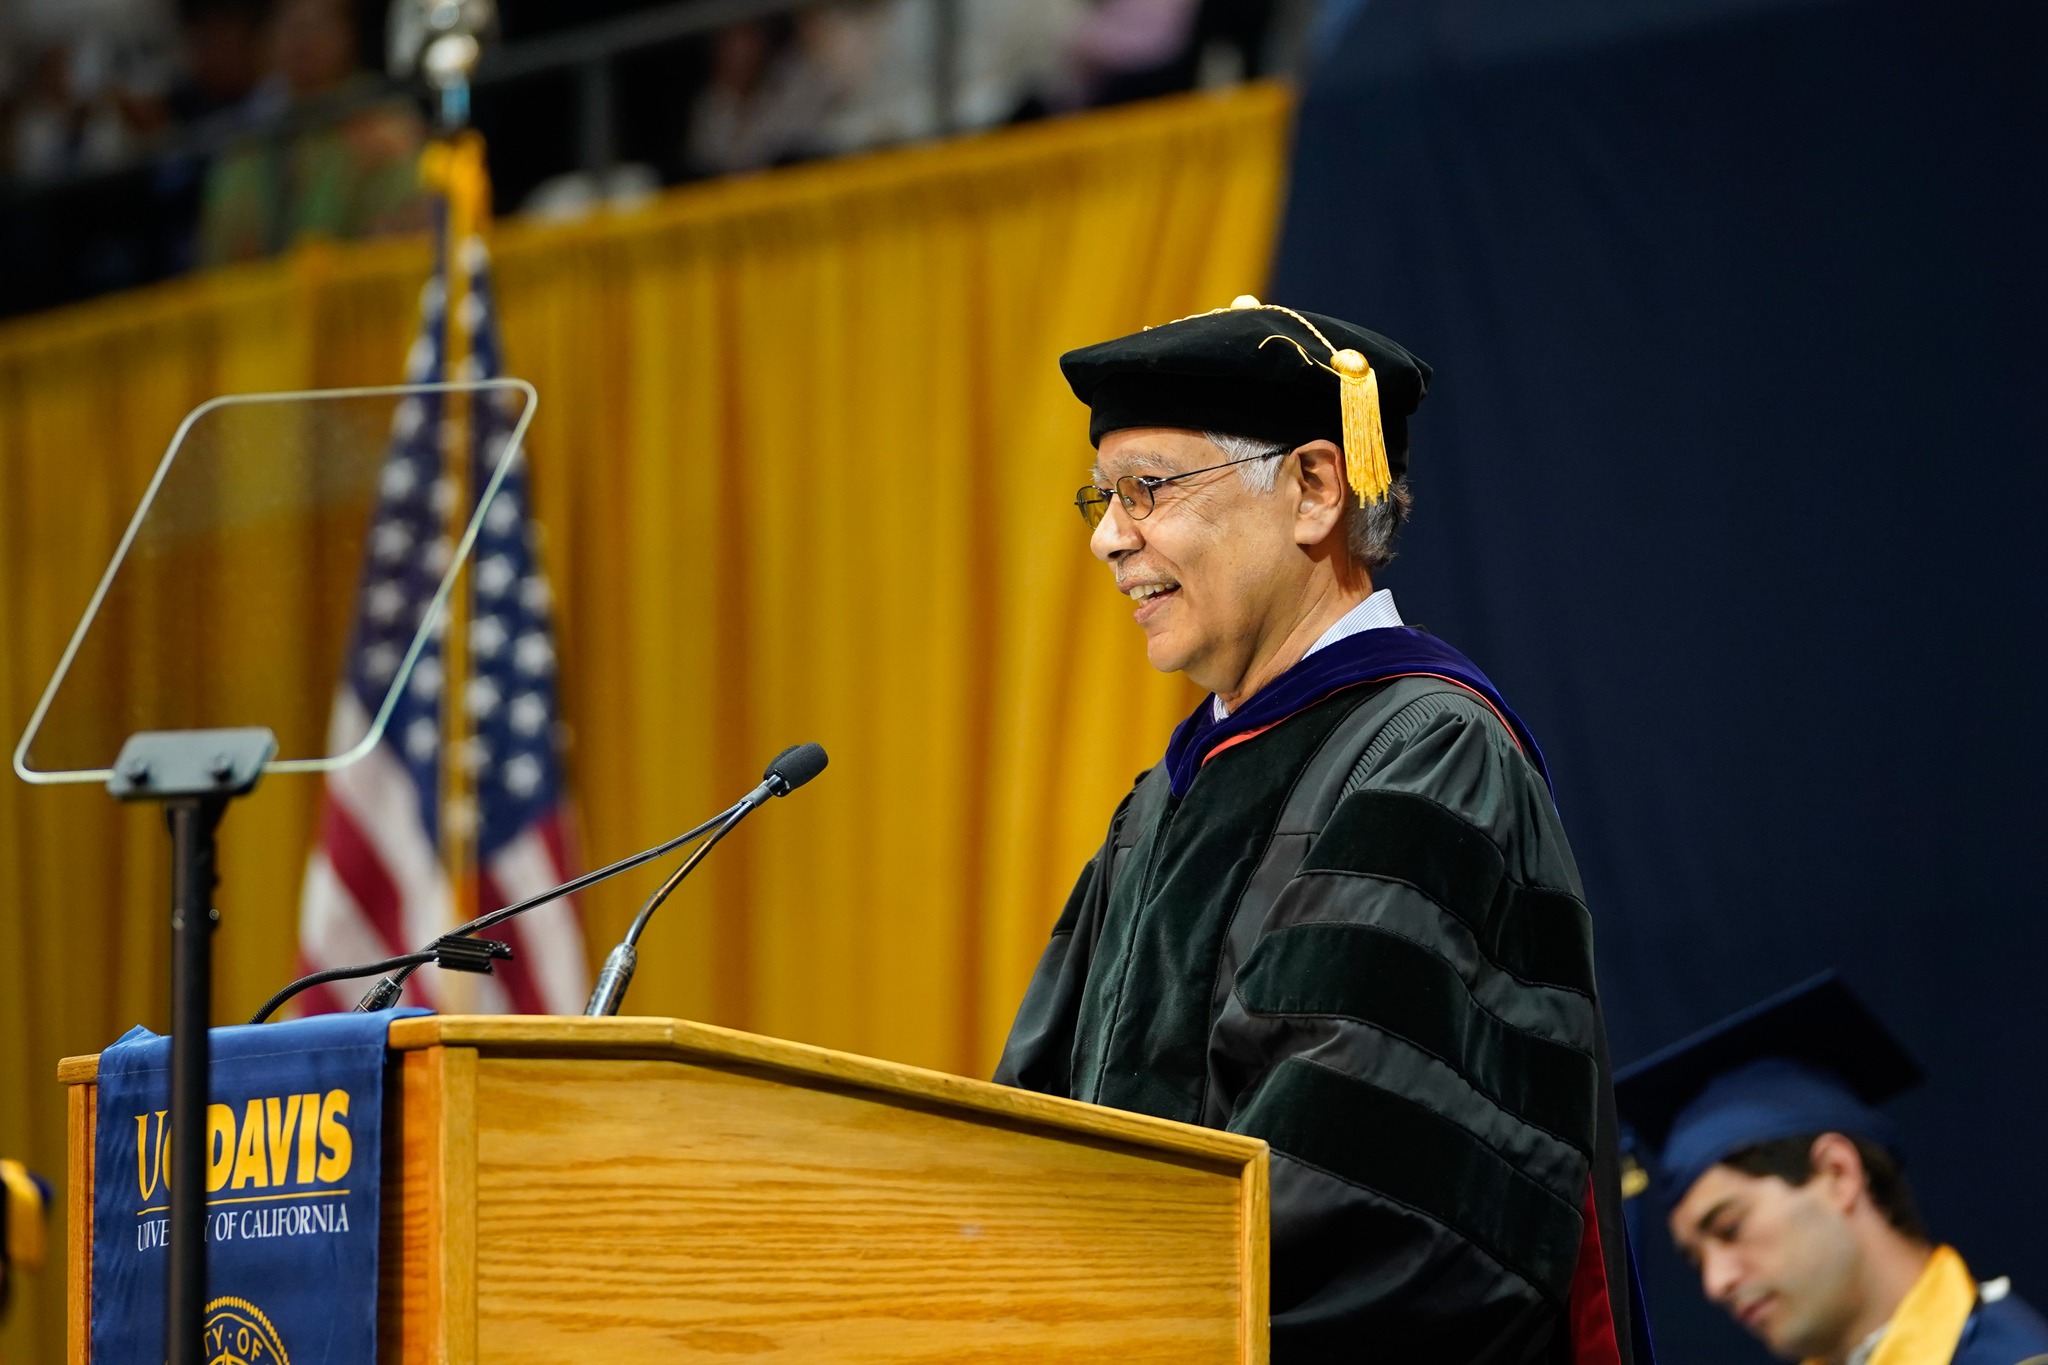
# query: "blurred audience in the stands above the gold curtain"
{"type": "Point", "coordinates": [142, 138]}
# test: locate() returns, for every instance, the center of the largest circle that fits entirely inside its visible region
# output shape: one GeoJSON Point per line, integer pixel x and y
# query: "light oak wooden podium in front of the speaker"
{"type": "Point", "coordinates": [650, 1190]}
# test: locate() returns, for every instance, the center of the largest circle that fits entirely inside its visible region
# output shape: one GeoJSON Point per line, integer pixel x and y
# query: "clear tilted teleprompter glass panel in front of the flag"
{"type": "Point", "coordinates": [275, 529]}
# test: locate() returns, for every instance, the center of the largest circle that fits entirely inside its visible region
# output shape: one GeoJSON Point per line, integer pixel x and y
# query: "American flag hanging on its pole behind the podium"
{"type": "Point", "coordinates": [378, 883]}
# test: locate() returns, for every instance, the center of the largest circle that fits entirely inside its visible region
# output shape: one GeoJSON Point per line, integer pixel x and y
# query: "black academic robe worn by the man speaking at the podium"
{"type": "Point", "coordinates": [1396, 992]}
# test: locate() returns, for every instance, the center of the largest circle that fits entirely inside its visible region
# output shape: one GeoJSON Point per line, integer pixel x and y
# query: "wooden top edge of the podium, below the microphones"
{"type": "Point", "coordinates": [706, 1045]}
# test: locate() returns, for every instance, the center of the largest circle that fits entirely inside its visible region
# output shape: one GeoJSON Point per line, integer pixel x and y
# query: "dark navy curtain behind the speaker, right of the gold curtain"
{"type": "Point", "coordinates": [1734, 478]}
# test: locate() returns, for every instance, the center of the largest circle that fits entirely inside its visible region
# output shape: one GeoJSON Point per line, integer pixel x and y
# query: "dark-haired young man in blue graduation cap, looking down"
{"type": "Point", "coordinates": [1764, 1143]}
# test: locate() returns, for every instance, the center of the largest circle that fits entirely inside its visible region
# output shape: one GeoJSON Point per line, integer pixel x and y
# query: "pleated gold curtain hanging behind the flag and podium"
{"type": "Point", "coordinates": [804, 468]}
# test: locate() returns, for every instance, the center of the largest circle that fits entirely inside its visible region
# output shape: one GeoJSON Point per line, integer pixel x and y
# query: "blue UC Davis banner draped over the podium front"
{"type": "Point", "coordinates": [294, 1178]}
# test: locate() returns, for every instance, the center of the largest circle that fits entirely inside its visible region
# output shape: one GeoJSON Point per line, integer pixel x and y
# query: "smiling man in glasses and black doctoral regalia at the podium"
{"type": "Point", "coordinates": [1340, 914]}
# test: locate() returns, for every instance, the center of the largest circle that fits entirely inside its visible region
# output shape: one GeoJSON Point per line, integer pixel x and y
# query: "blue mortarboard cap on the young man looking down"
{"type": "Point", "coordinates": [1814, 1059]}
